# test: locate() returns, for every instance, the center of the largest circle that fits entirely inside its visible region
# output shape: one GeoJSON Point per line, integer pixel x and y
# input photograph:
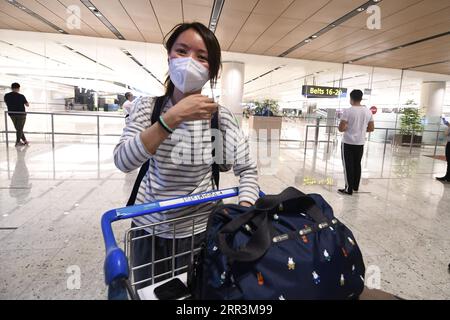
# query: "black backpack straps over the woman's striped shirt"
{"type": "Point", "coordinates": [159, 103]}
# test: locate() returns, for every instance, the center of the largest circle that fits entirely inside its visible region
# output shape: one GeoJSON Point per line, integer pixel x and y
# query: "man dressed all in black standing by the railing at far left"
{"type": "Point", "coordinates": [16, 103]}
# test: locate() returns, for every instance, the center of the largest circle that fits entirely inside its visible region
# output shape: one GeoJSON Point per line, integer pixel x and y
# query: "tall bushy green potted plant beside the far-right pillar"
{"type": "Point", "coordinates": [410, 126]}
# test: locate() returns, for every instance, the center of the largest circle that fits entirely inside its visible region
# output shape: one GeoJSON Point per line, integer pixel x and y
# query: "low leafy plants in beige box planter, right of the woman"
{"type": "Point", "coordinates": [265, 116]}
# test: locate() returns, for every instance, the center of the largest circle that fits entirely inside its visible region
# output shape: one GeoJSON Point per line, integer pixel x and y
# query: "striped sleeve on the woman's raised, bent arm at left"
{"type": "Point", "coordinates": [130, 153]}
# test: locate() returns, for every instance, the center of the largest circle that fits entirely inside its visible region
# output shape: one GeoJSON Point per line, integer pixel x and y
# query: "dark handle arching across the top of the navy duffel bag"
{"type": "Point", "coordinates": [293, 200]}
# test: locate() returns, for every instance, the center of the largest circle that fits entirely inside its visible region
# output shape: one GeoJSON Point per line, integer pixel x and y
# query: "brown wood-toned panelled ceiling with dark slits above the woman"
{"type": "Point", "coordinates": [264, 27]}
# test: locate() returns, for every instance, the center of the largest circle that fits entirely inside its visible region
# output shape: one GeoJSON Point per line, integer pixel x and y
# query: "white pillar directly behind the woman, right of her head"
{"type": "Point", "coordinates": [232, 83]}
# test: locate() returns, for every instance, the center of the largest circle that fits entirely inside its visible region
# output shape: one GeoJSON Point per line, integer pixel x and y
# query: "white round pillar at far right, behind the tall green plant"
{"type": "Point", "coordinates": [432, 101]}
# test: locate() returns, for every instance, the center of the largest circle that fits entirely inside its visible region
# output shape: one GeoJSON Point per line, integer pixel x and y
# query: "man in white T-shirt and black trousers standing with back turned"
{"type": "Point", "coordinates": [355, 122]}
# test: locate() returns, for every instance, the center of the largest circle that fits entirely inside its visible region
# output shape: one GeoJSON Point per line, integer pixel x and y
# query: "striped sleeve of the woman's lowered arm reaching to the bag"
{"type": "Point", "coordinates": [244, 167]}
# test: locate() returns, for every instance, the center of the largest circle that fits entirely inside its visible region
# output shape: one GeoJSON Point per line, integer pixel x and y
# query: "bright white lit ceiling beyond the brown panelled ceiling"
{"type": "Point", "coordinates": [43, 56]}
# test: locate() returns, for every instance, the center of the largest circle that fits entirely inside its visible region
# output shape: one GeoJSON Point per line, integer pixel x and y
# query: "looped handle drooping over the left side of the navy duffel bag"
{"type": "Point", "coordinates": [259, 242]}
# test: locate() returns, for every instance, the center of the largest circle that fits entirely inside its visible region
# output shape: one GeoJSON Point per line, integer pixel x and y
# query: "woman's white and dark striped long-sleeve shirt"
{"type": "Point", "coordinates": [182, 164]}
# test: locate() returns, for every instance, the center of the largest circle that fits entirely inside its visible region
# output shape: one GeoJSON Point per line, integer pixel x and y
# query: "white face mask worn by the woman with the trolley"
{"type": "Point", "coordinates": [187, 74]}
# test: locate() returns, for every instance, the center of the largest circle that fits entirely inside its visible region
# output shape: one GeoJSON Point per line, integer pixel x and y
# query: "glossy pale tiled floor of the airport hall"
{"type": "Point", "coordinates": [51, 202]}
